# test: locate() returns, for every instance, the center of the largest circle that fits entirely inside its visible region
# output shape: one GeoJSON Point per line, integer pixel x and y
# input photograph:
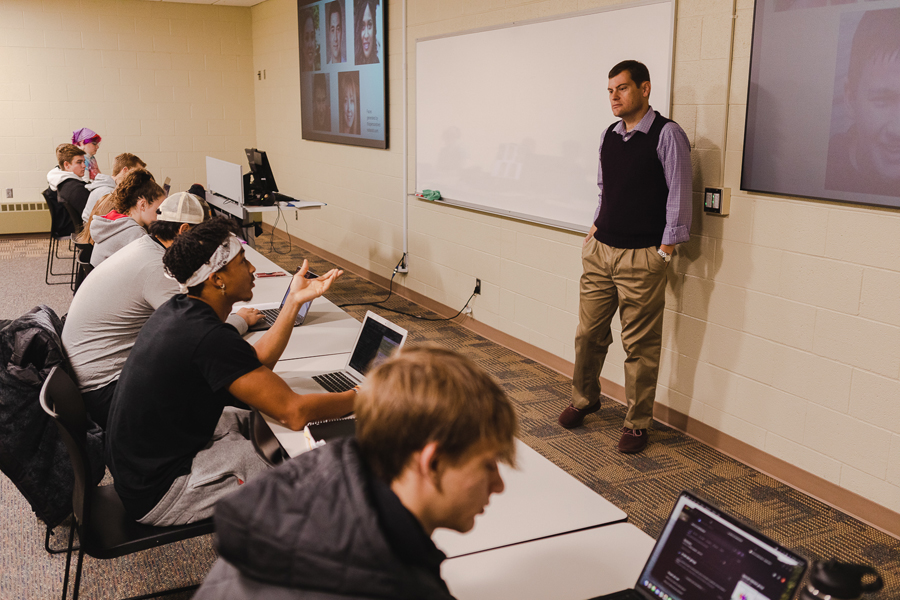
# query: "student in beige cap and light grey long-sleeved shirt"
{"type": "Point", "coordinates": [113, 304]}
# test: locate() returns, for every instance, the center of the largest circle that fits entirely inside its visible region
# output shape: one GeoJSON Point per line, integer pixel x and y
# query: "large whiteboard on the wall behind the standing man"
{"type": "Point", "coordinates": [509, 120]}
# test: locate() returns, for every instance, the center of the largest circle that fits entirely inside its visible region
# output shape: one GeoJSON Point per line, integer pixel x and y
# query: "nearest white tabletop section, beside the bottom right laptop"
{"type": "Point", "coordinates": [574, 566]}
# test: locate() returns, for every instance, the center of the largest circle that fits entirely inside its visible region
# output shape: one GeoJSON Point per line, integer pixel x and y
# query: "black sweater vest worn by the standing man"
{"type": "Point", "coordinates": [633, 207]}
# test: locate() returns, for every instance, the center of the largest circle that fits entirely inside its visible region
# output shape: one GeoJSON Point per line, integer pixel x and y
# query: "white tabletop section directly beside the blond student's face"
{"type": "Point", "coordinates": [540, 500]}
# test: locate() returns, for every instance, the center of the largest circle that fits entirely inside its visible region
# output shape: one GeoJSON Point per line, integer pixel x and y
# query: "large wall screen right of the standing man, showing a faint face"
{"type": "Point", "coordinates": [823, 108]}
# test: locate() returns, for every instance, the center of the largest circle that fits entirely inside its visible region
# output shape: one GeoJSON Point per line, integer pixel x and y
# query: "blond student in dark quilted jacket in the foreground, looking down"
{"type": "Point", "coordinates": [354, 519]}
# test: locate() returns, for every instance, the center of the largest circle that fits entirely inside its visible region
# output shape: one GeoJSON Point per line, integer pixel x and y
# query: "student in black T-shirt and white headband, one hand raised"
{"type": "Point", "coordinates": [174, 442]}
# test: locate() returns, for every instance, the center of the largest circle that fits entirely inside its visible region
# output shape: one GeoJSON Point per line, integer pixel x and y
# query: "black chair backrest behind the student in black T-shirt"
{"type": "Point", "coordinates": [61, 400]}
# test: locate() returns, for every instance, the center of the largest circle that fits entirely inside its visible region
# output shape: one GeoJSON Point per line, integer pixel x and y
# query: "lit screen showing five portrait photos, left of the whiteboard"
{"type": "Point", "coordinates": [342, 71]}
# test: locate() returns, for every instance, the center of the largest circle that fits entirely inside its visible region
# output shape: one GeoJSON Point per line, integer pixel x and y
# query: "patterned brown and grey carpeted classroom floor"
{"type": "Point", "coordinates": [644, 486]}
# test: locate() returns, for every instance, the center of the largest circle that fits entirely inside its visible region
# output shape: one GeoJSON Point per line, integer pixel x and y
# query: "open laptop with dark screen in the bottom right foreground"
{"type": "Point", "coordinates": [704, 554]}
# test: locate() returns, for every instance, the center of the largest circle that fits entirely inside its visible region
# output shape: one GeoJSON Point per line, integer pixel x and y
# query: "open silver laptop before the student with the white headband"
{"type": "Point", "coordinates": [378, 338]}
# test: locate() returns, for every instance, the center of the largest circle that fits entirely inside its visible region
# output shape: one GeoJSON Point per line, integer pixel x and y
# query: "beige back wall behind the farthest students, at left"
{"type": "Point", "coordinates": [169, 82]}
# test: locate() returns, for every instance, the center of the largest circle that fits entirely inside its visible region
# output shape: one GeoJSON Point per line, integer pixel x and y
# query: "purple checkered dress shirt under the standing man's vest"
{"type": "Point", "coordinates": [674, 151]}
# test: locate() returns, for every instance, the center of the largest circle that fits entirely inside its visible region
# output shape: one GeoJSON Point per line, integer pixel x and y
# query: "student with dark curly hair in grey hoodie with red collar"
{"type": "Point", "coordinates": [136, 200]}
